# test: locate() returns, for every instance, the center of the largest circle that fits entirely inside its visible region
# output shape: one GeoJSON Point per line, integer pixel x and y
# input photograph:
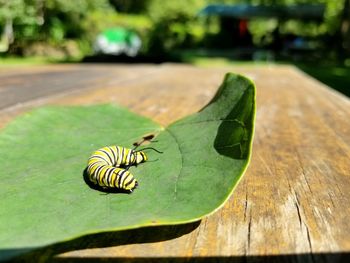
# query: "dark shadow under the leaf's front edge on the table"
{"type": "Point", "coordinates": [100, 240]}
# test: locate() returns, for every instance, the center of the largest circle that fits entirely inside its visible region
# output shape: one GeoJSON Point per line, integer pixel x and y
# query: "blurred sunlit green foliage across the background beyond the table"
{"type": "Point", "coordinates": [68, 28]}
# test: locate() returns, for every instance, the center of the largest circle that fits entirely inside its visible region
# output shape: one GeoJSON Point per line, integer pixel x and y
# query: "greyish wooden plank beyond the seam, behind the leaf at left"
{"type": "Point", "coordinates": [32, 87]}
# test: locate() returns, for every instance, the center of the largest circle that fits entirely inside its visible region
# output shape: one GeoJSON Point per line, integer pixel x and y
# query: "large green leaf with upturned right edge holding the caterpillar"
{"type": "Point", "coordinates": [43, 155]}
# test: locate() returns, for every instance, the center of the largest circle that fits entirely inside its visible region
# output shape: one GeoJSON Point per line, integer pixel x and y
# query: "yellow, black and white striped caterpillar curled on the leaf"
{"type": "Point", "coordinates": [108, 167]}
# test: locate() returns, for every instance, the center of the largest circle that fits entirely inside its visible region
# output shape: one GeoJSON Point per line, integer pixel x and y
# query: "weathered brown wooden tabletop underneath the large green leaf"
{"type": "Point", "coordinates": [293, 202]}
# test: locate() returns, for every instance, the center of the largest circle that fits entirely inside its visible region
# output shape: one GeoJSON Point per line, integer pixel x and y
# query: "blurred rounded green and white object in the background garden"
{"type": "Point", "coordinates": [118, 41]}
